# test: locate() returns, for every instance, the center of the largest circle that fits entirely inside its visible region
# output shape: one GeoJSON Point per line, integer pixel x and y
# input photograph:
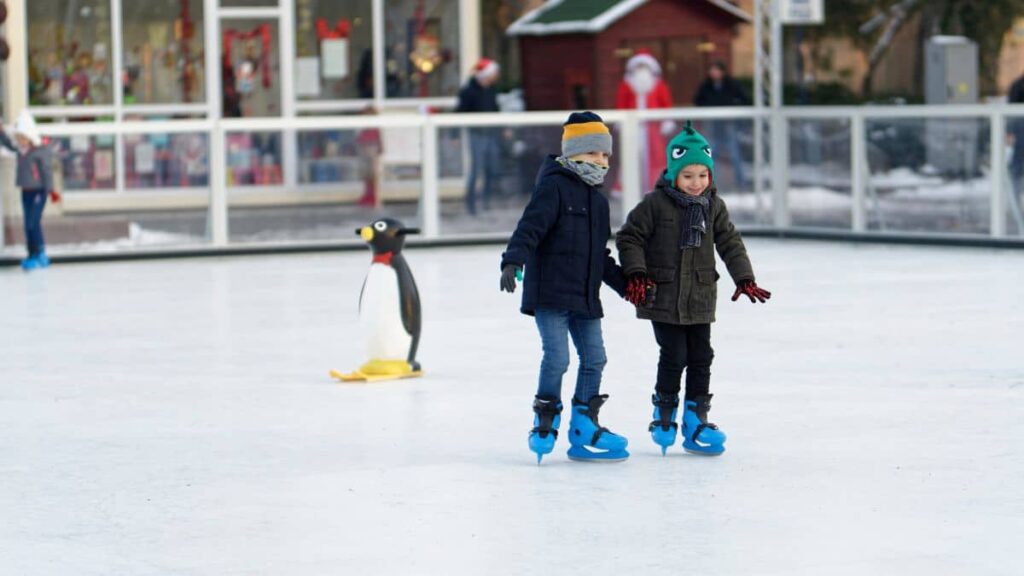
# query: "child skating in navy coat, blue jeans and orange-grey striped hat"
{"type": "Point", "coordinates": [562, 240]}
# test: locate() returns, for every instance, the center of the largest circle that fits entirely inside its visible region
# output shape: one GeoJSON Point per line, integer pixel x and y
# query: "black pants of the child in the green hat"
{"type": "Point", "coordinates": [684, 348]}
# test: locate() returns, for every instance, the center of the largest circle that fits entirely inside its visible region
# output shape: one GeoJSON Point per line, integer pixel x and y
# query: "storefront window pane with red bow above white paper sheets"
{"type": "Point", "coordinates": [334, 50]}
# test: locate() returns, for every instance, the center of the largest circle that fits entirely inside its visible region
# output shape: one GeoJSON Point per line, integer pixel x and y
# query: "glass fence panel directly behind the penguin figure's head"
{"type": "Point", "coordinates": [346, 180]}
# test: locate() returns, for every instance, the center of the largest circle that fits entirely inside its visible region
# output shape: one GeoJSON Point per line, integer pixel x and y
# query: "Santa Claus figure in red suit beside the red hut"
{"type": "Point", "coordinates": [644, 89]}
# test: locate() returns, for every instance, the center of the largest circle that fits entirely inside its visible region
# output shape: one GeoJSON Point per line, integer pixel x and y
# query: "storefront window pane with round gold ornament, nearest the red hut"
{"type": "Point", "coordinates": [422, 49]}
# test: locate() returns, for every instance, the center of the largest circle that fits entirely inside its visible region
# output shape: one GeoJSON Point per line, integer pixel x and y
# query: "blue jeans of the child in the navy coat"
{"type": "Point", "coordinates": [554, 326]}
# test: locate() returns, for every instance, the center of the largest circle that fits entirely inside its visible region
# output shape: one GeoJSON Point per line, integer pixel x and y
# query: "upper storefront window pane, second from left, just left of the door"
{"type": "Point", "coordinates": [163, 53]}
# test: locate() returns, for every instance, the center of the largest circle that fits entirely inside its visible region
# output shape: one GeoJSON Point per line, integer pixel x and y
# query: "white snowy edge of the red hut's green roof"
{"type": "Point", "coordinates": [589, 17]}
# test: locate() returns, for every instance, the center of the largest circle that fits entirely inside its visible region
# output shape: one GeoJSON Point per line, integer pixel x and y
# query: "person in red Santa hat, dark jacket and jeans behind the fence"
{"type": "Point", "coordinates": [479, 95]}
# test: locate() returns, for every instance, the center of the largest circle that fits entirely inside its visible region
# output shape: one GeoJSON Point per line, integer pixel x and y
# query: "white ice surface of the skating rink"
{"type": "Point", "coordinates": [177, 418]}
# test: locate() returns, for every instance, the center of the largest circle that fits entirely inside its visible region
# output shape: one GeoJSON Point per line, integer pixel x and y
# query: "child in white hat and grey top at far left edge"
{"type": "Point", "coordinates": [35, 178]}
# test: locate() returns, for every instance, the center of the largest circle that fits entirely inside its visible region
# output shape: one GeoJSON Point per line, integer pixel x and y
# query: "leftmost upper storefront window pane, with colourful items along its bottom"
{"type": "Point", "coordinates": [69, 45]}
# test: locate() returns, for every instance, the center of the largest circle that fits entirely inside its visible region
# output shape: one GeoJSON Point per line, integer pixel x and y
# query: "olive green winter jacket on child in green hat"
{"type": "Point", "coordinates": [687, 278]}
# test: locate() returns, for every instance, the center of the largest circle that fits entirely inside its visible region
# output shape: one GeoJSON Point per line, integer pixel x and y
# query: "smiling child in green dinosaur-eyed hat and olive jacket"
{"type": "Point", "coordinates": [667, 251]}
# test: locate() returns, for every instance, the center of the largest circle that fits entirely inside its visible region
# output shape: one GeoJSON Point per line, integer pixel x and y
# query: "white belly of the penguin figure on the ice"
{"type": "Point", "coordinates": [380, 316]}
